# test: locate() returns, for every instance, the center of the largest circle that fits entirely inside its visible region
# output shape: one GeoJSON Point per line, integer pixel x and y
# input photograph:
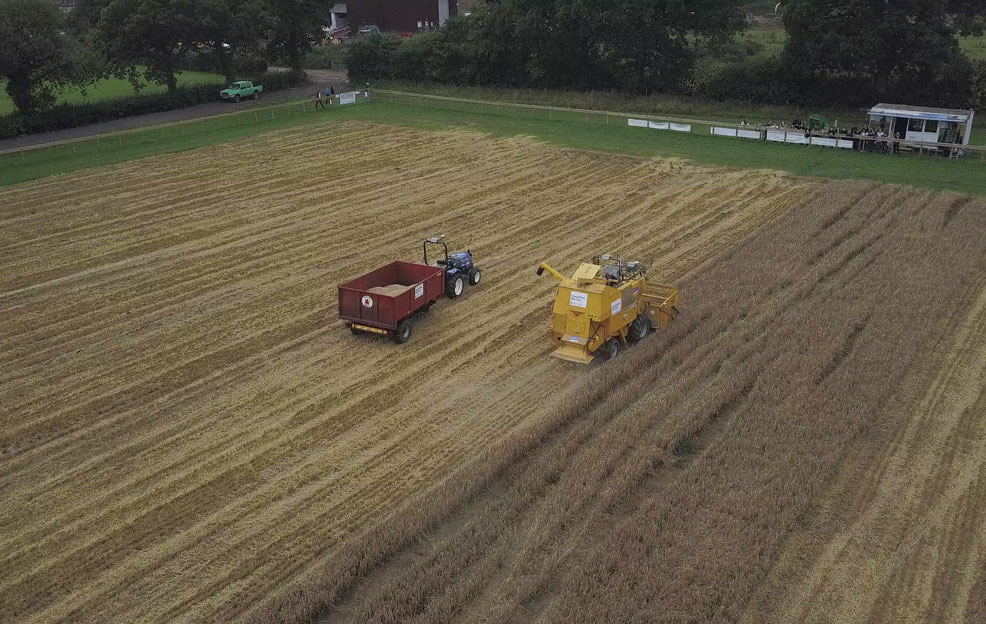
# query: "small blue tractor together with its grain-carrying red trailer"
{"type": "Point", "coordinates": [383, 301]}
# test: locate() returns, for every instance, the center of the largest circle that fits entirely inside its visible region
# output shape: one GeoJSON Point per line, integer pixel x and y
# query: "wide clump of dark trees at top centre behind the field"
{"type": "Point", "coordinates": [638, 45]}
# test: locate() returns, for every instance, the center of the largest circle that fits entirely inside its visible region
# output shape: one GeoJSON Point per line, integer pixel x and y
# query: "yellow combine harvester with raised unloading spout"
{"type": "Point", "coordinates": [606, 305]}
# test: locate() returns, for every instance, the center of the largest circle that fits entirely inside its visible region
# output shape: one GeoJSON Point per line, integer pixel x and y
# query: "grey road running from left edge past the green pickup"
{"type": "Point", "coordinates": [320, 79]}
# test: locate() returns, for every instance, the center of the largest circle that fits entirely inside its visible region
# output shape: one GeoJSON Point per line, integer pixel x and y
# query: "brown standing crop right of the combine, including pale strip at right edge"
{"type": "Point", "coordinates": [806, 443]}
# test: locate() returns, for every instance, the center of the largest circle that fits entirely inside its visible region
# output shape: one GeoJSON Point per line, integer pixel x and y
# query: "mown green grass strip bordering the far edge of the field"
{"type": "Point", "coordinates": [575, 130]}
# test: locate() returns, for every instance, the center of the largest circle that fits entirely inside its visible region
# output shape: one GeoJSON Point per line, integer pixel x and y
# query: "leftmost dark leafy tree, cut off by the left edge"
{"type": "Point", "coordinates": [33, 53]}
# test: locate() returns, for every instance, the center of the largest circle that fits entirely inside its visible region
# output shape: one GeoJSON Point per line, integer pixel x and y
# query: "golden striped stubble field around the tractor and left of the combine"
{"type": "Point", "coordinates": [185, 425]}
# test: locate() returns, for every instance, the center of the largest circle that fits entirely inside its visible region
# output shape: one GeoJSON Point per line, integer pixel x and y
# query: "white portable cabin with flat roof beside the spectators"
{"type": "Point", "coordinates": [922, 123]}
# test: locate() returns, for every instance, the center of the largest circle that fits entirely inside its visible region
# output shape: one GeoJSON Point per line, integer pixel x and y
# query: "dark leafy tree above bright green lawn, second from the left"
{"type": "Point", "coordinates": [153, 33]}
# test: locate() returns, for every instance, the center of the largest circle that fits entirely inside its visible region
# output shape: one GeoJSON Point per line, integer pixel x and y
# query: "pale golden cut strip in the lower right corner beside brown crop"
{"type": "Point", "coordinates": [915, 546]}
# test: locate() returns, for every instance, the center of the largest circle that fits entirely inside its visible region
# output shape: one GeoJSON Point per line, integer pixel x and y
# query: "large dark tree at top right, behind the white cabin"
{"type": "Point", "coordinates": [900, 43]}
